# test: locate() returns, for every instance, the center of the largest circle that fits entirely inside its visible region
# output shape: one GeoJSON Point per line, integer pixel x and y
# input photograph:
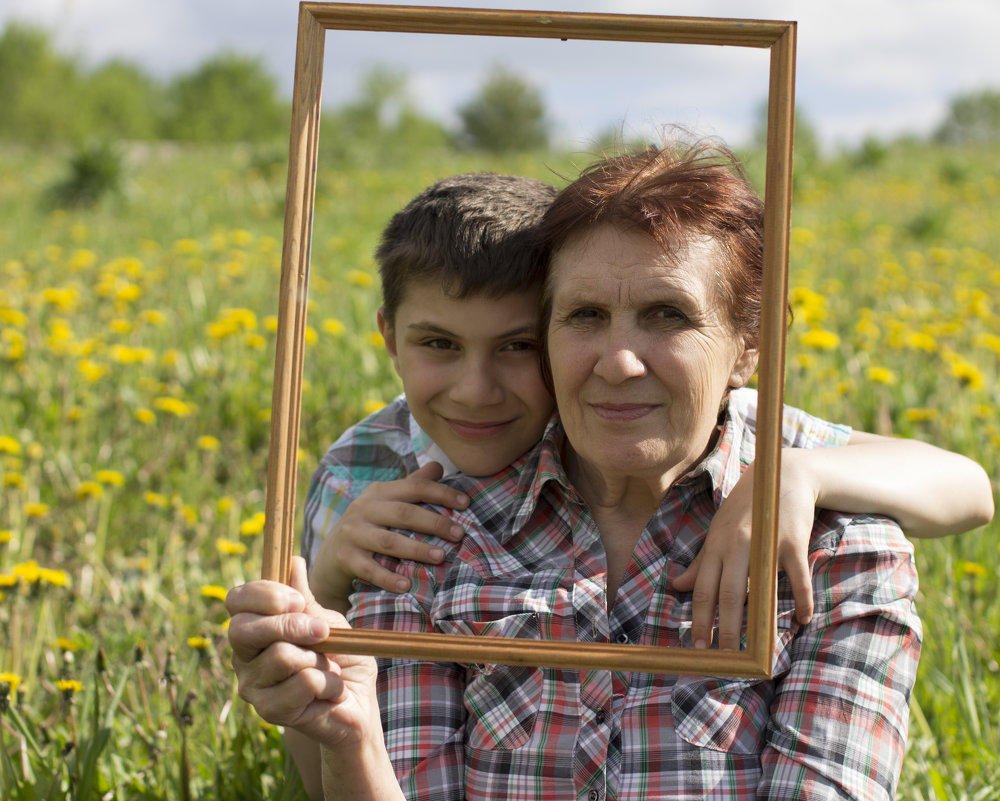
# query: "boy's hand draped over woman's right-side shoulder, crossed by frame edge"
{"type": "Point", "coordinates": [718, 576]}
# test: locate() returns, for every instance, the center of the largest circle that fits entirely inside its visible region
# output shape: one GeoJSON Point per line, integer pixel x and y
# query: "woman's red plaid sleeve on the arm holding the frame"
{"type": "Point", "coordinates": [421, 703]}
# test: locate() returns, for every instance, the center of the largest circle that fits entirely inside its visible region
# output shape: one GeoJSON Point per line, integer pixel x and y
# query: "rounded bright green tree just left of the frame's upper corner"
{"type": "Point", "coordinates": [227, 99]}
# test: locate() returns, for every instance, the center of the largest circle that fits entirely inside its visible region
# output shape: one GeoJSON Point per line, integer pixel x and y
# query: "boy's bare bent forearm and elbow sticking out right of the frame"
{"type": "Point", "coordinates": [928, 491]}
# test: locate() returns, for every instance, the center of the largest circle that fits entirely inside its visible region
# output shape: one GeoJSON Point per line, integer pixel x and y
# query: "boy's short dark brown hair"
{"type": "Point", "coordinates": [474, 234]}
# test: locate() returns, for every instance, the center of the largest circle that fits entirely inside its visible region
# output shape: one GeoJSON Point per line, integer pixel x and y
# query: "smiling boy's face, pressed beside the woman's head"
{"type": "Point", "coordinates": [470, 372]}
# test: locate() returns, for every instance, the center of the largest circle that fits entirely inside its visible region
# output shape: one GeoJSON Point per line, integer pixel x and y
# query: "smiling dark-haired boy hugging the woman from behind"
{"type": "Point", "coordinates": [462, 275]}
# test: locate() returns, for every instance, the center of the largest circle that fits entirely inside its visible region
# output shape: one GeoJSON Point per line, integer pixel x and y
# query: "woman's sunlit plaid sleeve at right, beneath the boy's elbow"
{"type": "Point", "coordinates": [841, 708]}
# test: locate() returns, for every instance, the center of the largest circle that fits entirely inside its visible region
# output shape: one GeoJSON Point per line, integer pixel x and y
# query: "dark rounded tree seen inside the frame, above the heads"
{"type": "Point", "coordinates": [508, 114]}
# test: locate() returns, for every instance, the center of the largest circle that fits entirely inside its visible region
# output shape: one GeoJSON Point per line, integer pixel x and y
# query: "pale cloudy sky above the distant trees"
{"type": "Point", "coordinates": [880, 67]}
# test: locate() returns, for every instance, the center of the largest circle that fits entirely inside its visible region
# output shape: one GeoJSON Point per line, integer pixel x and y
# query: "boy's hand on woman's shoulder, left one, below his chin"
{"type": "Point", "coordinates": [366, 529]}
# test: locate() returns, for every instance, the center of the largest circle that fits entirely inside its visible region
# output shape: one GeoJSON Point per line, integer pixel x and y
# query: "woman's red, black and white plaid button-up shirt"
{"type": "Point", "coordinates": [831, 724]}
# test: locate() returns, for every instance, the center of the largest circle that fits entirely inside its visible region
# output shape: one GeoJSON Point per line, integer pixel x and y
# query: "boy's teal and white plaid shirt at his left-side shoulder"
{"type": "Point", "coordinates": [385, 446]}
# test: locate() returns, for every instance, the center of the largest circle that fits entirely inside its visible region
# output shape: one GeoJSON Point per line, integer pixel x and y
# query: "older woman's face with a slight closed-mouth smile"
{"type": "Point", "coordinates": [641, 352]}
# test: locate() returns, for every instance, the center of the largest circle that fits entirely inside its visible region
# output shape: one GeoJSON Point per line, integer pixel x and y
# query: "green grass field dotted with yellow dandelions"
{"type": "Point", "coordinates": [136, 344]}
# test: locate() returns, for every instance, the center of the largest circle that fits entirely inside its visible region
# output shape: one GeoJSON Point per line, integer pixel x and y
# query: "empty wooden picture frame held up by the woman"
{"type": "Point", "coordinates": [779, 37]}
